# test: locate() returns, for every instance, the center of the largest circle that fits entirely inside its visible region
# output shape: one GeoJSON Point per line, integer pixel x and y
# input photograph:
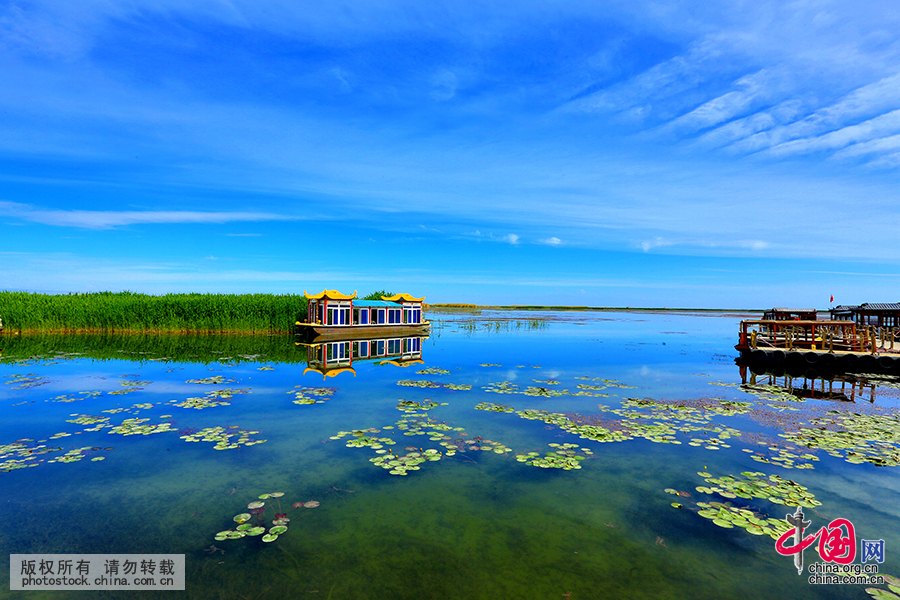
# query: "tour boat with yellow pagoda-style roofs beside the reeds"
{"type": "Point", "coordinates": [333, 315]}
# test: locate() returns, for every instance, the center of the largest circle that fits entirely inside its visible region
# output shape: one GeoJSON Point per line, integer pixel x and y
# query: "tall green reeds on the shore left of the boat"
{"type": "Point", "coordinates": [131, 312]}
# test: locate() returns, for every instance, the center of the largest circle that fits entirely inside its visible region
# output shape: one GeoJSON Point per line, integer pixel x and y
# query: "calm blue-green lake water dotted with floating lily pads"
{"type": "Point", "coordinates": [473, 523]}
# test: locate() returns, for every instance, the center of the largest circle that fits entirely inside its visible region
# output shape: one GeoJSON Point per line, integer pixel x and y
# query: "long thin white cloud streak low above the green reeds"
{"type": "Point", "coordinates": [98, 219]}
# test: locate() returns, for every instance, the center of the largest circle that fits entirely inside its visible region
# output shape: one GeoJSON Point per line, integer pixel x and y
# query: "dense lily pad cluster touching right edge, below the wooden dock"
{"type": "Point", "coordinates": [855, 437]}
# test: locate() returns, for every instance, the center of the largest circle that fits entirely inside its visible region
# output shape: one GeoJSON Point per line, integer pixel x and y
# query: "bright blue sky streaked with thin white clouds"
{"type": "Point", "coordinates": [680, 154]}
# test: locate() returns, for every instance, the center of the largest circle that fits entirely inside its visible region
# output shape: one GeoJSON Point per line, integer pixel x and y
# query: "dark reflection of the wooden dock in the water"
{"type": "Point", "coordinates": [813, 385]}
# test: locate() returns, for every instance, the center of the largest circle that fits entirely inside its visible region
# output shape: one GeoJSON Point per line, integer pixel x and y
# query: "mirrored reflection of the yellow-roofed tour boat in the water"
{"type": "Point", "coordinates": [332, 357]}
